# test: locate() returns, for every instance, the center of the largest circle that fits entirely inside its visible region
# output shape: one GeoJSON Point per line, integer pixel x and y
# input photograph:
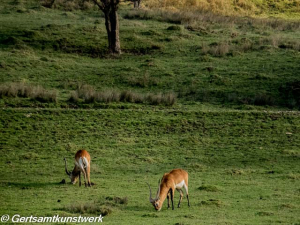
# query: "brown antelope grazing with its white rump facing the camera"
{"type": "Point", "coordinates": [82, 164]}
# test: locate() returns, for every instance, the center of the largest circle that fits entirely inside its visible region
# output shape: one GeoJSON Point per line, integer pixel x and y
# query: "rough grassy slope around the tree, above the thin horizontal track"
{"type": "Point", "coordinates": [199, 57]}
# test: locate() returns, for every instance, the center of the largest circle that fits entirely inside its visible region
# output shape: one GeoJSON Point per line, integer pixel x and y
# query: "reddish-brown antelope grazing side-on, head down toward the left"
{"type": "Point", "coordinates": [175, 179]}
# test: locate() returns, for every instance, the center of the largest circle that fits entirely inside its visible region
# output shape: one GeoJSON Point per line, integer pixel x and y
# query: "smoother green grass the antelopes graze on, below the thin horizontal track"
{"type": "Point", "coordinates": [248, 163]}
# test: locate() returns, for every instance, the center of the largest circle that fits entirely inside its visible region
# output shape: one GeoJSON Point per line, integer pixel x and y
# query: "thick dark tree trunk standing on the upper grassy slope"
{"type": "Point", "coordinates": [112, 28]}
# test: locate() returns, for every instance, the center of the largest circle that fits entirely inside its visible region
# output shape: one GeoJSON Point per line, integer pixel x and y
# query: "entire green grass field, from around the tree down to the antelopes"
{"type": "Point", "coordinates": [233, 121]}
